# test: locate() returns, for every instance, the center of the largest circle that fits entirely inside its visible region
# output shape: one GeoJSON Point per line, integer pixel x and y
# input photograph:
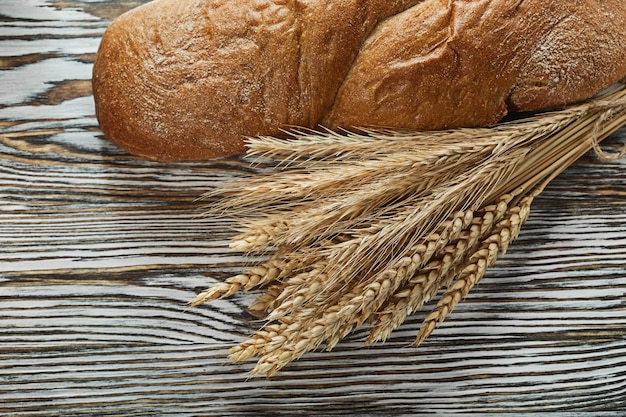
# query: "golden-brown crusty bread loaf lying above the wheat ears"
{"type": "Point", "coordinates": [191, 79]}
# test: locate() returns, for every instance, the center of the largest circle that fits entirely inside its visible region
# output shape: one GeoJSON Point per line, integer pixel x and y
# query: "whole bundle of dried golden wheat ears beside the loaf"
{"type": "Point", "coordinates": [365, 228]}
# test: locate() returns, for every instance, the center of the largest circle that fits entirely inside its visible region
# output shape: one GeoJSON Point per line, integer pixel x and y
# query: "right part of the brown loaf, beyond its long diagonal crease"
{"type": "Point", "coordinates": [472, 63]}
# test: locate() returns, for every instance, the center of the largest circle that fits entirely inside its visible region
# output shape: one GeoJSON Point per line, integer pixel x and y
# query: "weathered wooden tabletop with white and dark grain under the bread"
{"type": "Point", "coordinates": [101, 251]}
